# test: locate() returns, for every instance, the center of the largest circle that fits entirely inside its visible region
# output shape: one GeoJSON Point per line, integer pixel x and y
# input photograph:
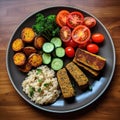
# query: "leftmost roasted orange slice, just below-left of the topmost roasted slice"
{"type": "Point", "coordinates": [17, 45]}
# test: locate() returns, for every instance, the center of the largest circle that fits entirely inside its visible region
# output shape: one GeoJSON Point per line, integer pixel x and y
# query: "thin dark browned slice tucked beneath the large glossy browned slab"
{"type": "Point", "coordinates": [91, 71]}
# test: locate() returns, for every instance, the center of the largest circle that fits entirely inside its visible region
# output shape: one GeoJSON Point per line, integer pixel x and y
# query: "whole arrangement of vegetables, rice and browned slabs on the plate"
{"type": "Point", "coordinates": [41, 49]}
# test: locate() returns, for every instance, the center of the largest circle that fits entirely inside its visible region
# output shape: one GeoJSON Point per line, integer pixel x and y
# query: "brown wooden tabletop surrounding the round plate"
{"type": "Point", "coordinates": [12, 106]}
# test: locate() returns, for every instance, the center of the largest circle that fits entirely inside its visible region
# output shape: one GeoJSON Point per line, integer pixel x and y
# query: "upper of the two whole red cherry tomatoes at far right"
{"type": "Point", "coordinates": [98, 38]}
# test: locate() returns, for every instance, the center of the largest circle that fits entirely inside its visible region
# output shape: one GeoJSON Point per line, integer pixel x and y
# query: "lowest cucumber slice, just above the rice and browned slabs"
{"type": "Point", "coordinates": [56, 64]}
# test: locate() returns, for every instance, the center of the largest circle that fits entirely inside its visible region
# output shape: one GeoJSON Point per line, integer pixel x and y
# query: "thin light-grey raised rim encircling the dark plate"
{"type": "Point", "coordinates": [71, 110]}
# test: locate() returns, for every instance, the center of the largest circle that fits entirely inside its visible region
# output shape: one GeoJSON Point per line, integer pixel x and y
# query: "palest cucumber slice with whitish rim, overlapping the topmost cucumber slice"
{"type": "Point", "coordinates": [48, 47]}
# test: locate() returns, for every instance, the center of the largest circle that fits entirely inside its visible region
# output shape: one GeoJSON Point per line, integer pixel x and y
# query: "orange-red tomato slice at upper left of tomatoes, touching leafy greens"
{"type": "Point", "coordinates": [61, 18]}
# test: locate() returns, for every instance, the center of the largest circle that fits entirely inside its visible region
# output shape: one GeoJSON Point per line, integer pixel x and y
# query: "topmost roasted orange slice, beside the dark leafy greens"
{"type": "Point", "coordinates": [27, 34]}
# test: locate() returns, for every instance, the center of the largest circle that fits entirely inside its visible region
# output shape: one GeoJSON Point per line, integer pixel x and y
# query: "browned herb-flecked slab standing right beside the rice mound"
{"type": "Point", "coordinates": [65, 84]}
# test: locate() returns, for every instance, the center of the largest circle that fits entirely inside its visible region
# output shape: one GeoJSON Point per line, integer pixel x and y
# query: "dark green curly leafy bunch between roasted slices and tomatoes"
{"type": "Point", "coordinates": [46, 26]}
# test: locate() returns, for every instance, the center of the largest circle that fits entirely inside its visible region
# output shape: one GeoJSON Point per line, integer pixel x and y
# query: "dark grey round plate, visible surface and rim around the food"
{"type": "Point", "coordinates": [82, 99]}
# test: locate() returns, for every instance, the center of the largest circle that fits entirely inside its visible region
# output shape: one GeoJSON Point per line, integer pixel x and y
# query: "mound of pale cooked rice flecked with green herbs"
{"type": "Point", "coordinates": [41, 85]}
